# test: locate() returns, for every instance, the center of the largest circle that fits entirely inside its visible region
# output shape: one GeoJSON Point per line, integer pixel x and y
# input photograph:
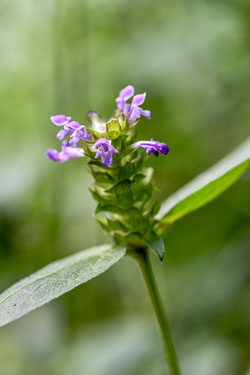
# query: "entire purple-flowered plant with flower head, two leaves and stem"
{"type": "Point", "coordinates": [126, 208]}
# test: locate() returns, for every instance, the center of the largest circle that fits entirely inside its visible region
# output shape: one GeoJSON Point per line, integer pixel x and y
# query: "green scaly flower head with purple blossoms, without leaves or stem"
{"type": "Point", "coordinates": [123, 185]}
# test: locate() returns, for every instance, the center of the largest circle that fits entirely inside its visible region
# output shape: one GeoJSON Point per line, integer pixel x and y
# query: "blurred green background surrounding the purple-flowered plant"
{"type": "Point", "coordinates": [69, 56]}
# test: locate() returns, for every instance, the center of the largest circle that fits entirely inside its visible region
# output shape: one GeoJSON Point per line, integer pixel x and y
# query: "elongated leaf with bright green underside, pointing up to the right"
{"type": "Point", "coordinates": [205, 187]}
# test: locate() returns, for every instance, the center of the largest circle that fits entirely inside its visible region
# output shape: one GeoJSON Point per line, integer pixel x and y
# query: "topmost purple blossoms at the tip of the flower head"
{"type": "Point", "coordinates": [133, 111]}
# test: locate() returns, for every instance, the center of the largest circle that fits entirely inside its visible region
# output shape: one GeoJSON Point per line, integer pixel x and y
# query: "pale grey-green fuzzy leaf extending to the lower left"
{"type": "Point", "coordinates": [56, 279]}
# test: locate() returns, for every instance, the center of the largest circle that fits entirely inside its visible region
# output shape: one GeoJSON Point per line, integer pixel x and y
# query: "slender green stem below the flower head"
{"type": "Point", "coordinates": [146, 268]}
